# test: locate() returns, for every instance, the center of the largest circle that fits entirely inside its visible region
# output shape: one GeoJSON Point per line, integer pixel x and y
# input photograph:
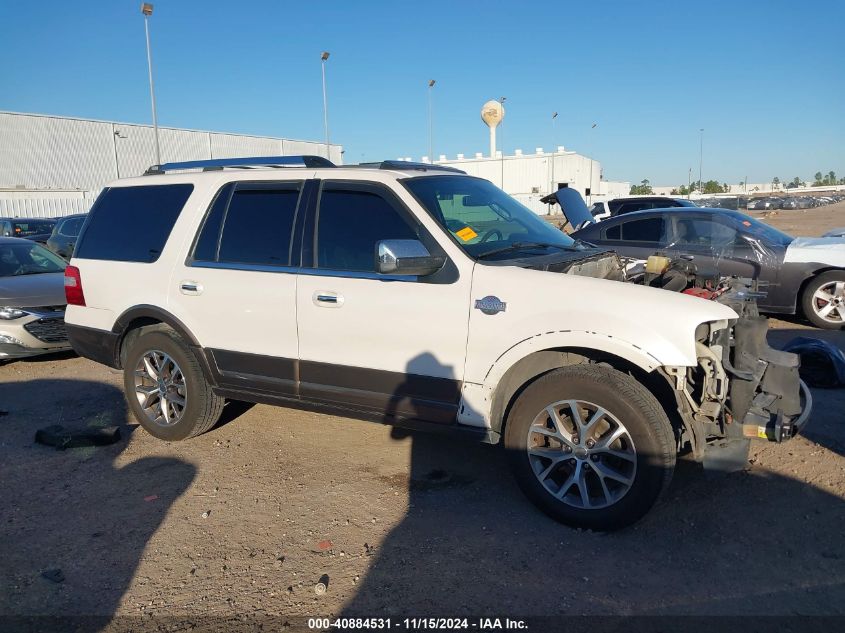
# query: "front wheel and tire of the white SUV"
{"type": "Point", "coordinates": [590, 446]}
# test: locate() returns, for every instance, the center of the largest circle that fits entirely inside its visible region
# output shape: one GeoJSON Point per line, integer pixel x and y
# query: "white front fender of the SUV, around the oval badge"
{"type": "Point", "coordinates": [649, 321]}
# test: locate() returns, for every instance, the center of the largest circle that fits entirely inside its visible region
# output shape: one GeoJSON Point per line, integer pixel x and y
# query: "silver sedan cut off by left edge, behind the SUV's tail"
{"type": "Point", "coordinates": [32, 300]}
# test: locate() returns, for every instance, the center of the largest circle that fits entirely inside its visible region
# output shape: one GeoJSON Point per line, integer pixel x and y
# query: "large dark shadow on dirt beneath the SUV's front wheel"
{"type": "Point", "coordinates": [471, 544]}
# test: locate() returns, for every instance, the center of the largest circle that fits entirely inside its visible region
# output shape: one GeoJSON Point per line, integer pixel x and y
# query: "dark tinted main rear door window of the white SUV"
{"type": "Point", "coordinates": [258, 227]}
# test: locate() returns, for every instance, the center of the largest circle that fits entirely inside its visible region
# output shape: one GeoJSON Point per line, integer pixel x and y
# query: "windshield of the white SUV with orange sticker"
{"type": "Point", "coordinates": [483, 219]}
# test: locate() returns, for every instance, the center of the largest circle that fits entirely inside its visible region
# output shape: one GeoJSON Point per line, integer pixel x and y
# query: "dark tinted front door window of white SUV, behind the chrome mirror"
{"type": "Point", "coordinates": [349, 225]}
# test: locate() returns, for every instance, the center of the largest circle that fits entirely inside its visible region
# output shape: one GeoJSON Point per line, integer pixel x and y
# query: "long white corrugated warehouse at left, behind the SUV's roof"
{"type": "Point", "coordinates": [52, 165]}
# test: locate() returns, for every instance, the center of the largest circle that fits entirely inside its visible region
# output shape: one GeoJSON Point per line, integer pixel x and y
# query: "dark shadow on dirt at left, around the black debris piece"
{"type": "Point", "coordinates": [94, 534]}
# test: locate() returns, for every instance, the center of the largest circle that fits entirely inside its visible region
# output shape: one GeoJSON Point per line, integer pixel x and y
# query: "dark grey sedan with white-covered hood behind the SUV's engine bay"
{"type": "Point", "coordinates": [796, 274]}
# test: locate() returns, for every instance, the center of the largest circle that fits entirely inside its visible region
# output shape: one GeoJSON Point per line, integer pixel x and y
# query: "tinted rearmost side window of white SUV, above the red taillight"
{"type": "Point", "coordinates": [132, 224]}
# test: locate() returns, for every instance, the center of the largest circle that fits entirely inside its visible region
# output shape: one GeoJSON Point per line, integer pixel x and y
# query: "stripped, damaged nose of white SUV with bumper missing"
{"type": "Point", "coordinates": [741, 388]}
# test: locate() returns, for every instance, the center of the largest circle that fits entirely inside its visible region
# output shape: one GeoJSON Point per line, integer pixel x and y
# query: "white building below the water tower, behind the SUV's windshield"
{"type": "Point", "coordinates": [530, 177]}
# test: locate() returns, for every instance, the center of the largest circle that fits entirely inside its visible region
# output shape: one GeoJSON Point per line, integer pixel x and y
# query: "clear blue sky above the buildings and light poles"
{"type": "Point", "coordinates": [765, 79]}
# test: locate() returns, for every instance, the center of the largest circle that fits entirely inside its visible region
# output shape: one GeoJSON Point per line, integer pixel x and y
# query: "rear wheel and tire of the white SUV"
{"type": "Point", "coordinates": [166, 389]}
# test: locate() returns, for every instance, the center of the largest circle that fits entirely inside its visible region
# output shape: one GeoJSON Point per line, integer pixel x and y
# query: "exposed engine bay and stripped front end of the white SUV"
{"type": "Point", "coordinates": [742, 388]}
